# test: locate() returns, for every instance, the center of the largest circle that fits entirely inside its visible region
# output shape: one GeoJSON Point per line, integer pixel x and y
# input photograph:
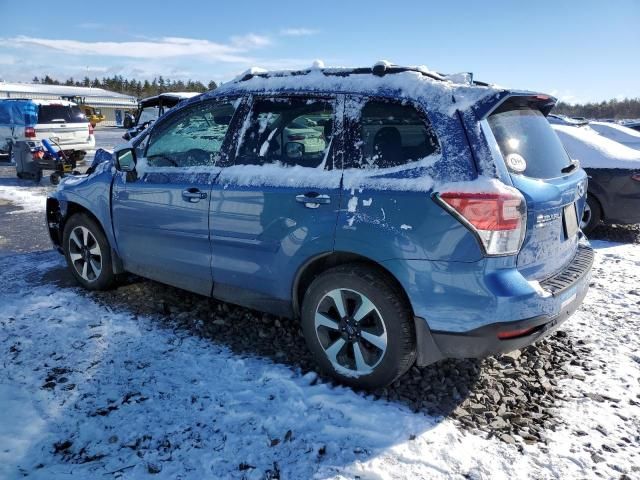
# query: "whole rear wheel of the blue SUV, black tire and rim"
{"type": "Point", "coordinates": [358, 326]}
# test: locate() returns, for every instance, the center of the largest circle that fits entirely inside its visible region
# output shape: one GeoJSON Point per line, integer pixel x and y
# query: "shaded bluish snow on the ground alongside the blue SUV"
{"type": "Point", "coordinates": [149, 379]}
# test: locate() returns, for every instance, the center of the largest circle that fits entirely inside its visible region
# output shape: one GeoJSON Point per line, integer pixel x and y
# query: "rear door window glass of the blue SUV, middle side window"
{"type": "Point", "coordinates": [290, 131]}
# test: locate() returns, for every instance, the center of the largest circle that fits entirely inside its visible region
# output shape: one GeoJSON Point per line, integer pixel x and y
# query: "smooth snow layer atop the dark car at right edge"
{"type": "Point", "coordinates": [594, 150]}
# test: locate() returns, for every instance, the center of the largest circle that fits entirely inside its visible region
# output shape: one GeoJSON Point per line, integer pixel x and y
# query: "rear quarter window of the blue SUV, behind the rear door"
{"type": "Point", "coordinates": [390, 134]}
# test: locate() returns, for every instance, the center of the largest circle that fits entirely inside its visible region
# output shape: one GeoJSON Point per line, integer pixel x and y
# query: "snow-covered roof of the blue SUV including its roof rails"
{"type": "Point", "coordinates": [381, 79]}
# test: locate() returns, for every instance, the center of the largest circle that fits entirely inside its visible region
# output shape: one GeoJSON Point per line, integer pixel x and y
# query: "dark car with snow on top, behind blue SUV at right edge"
{"type": "Point", "coordinates": [614, 175]}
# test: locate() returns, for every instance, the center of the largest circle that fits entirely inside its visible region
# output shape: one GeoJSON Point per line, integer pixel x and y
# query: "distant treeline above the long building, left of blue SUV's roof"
{"type": "Point", "coordinates": [133, 87]}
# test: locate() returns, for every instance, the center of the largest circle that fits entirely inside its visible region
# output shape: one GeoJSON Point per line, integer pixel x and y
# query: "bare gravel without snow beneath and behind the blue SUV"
{"type": "Point", "coordinates": [497, 396]}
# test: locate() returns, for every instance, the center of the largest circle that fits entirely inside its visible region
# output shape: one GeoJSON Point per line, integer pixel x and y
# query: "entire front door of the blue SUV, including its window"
{"type": "Point", "coordinates": [161, 212]}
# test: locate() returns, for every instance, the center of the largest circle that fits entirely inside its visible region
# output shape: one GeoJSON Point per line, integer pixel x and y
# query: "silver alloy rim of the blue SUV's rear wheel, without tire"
{"type": "Point", "coordinates": [351, 331]}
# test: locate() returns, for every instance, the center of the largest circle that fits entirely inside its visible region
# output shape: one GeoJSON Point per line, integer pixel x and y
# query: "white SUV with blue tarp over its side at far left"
{"type": "Point", "coordinates": [60, 121]}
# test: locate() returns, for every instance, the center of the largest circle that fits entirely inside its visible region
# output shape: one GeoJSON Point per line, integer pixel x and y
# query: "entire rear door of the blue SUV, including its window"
{"type": "Point", "coordinates": [262, 230]}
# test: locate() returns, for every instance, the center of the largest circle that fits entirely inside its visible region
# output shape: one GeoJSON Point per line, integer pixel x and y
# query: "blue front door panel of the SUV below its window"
{"type": "Point", "coordinates": [160, 234]}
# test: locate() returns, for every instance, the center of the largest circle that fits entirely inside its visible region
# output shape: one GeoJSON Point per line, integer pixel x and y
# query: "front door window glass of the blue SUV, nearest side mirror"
{"type": "Point", "coordinates": [191, 138]}
